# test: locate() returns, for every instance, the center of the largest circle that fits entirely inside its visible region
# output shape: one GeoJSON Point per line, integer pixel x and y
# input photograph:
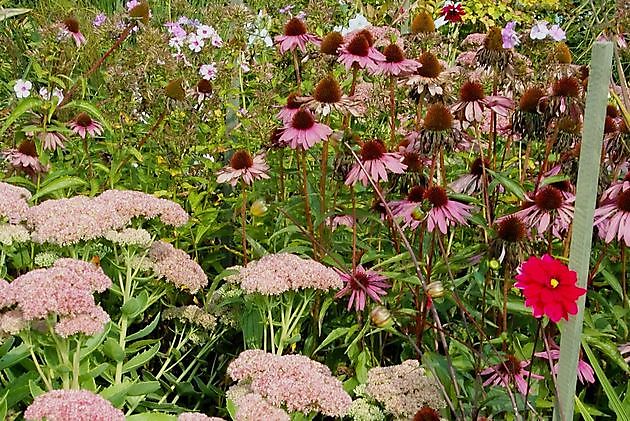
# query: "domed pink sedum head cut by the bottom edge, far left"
{"type": "Point", "coordinates": [75, 405]}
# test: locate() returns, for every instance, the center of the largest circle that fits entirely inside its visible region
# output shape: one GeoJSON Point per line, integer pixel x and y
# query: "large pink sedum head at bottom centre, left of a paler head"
{"type": "Point", "coordinates": [293, 382]}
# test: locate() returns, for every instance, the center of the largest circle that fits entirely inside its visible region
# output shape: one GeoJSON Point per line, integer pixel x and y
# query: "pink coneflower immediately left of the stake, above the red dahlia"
{"type": "Point", "coordinates": [551, 208]}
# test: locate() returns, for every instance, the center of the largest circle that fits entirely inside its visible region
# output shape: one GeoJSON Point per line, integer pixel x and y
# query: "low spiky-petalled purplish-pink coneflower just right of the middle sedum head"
{"type": "Point", "coordinates": [360, 285]}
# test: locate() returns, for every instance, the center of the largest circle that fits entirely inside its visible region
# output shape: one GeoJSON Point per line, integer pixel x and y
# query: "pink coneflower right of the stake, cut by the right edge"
{"type": "Point", "coordinates": [612, 218]}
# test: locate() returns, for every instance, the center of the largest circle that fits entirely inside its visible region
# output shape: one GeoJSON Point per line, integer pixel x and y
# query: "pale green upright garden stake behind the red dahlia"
{"type": "Point", "coordinates": [579, 259]}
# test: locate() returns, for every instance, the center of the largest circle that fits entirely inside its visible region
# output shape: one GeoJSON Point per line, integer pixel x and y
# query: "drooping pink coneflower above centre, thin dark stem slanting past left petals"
{"type": "Point", "coordinates": [377, 162]}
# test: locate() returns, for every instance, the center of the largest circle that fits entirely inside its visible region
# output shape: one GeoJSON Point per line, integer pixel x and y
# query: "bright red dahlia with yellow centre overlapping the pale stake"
{"type": "Point", "coordinates": [549, 287]}
